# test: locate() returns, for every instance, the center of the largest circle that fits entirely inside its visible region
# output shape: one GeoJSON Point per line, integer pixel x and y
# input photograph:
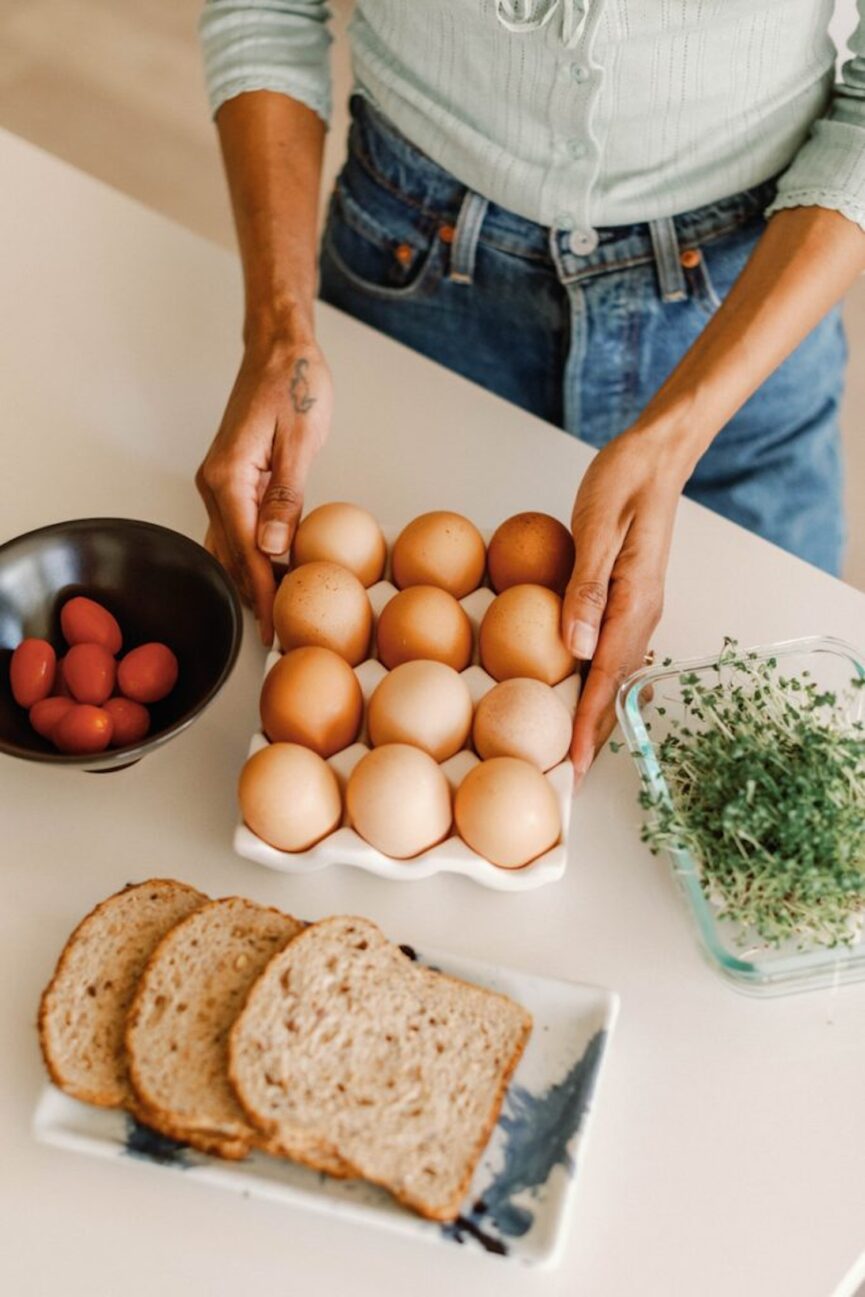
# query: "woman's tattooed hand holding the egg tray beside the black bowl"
{"type": "Point", "coordinates": [252, 479]}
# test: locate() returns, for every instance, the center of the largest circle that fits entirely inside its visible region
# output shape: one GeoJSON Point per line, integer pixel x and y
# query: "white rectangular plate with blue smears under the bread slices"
{"type": "Point", "coordinates": [519, 1202]}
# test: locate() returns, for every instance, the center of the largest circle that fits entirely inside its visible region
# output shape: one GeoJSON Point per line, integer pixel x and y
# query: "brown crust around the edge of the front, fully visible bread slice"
{"type": "Point", "coordinates": [324, 1151]}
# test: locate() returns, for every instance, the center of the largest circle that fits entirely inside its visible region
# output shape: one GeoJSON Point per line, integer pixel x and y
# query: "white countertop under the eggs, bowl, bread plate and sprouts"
{"type": "Point", "coordinates": [726, 1154]}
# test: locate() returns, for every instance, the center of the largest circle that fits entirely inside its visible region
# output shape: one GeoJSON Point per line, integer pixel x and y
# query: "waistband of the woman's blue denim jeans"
{"type": "Point", "coordinates": [414, 177]}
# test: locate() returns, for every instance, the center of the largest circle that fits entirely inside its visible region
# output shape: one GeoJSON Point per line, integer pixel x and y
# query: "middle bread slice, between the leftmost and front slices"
{"type": "Point", "coordinates": [187, 999]}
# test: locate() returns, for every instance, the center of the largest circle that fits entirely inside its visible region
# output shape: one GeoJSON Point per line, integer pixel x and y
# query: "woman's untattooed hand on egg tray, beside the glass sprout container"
{"type": "Point", "coordinates": [623, 525]}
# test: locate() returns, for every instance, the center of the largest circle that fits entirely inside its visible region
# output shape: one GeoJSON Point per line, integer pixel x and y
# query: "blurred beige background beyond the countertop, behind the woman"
{"type": "Point", "coordinates": [115, 86]}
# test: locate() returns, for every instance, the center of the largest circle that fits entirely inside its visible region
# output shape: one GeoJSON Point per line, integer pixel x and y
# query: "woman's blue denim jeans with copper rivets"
{"type": "Point", "coordinates": [584, 340]}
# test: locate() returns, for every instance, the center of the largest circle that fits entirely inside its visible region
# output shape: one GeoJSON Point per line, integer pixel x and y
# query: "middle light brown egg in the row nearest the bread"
{"type": "Point", "coordinates": [399, 801]}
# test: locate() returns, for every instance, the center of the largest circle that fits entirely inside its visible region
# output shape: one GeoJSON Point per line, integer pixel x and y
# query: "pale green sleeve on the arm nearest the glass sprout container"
{"type": "Point", "coordinates": [829, 169]}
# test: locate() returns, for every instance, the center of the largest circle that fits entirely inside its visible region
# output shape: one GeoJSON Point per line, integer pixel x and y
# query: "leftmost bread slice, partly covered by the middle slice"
{"type": "Point", "coordinates": [82, 1015]}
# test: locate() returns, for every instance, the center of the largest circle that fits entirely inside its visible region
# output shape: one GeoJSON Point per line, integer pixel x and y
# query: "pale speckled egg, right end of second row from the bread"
{"type": "Point", "coordinates": [526, 719]}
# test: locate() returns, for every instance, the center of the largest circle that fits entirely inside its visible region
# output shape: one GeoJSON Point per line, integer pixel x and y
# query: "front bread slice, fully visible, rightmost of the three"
{"type": "Point", "coordinates": [347, 1049]}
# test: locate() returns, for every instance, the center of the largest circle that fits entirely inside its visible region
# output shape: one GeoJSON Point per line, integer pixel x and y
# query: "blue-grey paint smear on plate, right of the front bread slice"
{"type": "Point", "coordinates": [538, 1129]}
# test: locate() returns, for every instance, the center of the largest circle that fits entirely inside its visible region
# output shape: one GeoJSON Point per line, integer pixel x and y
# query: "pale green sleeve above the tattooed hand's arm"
{"type": "Point", "coordinates": [268, 45]}
